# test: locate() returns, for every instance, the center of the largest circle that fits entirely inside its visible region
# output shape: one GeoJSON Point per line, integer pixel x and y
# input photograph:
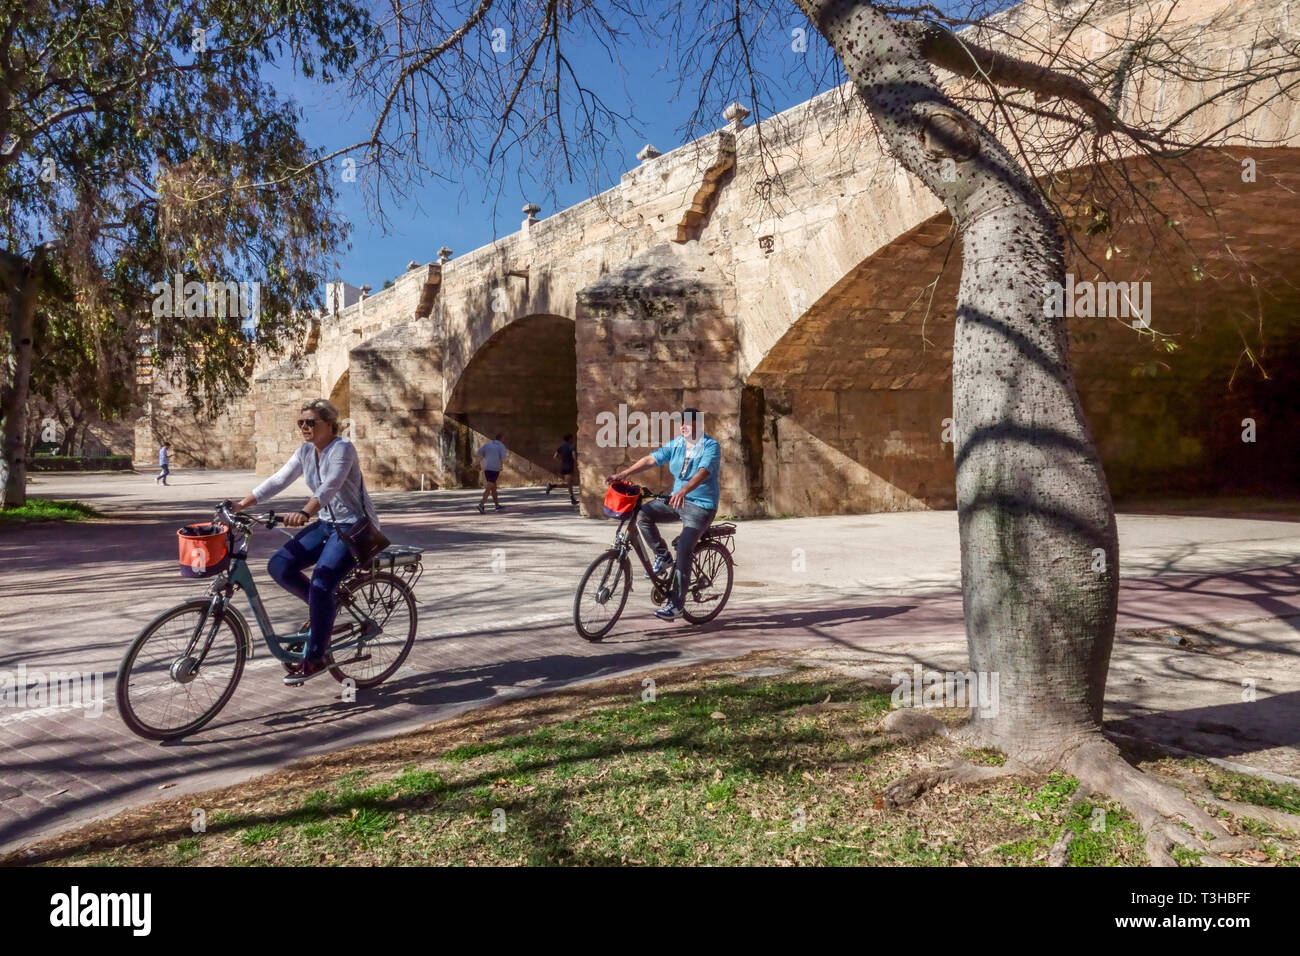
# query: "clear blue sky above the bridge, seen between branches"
{"type": "Point", "coordinates": [462, 214]}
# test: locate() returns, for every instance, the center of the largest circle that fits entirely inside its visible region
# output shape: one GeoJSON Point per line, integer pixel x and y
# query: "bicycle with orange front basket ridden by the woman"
{"type": "Point", "coordinates": [185, 665]}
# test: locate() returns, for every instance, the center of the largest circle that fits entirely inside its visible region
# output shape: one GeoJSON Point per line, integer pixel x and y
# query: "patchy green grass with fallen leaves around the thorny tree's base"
{"type": "Point", "coordinates": [720, 772]}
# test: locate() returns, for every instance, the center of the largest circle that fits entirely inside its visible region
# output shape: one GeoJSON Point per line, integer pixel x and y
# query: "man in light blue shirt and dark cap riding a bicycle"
{"type": "Point", "coordinates": [696, 461]}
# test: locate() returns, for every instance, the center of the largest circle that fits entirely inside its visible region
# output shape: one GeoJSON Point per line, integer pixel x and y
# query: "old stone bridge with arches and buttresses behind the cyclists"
{"type": "Point", "coordinates": [799, 287]}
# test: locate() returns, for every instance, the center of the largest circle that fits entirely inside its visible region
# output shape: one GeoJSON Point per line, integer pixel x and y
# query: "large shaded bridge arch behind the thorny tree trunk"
{"type": "Point", "coordinates": [847, 410]}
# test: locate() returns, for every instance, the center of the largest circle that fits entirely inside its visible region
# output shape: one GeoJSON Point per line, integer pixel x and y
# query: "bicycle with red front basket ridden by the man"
{"type": "Point", "coordinates": [604, 591]}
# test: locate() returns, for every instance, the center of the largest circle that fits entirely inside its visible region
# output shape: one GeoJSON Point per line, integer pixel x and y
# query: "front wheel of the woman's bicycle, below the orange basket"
{"type": "Point", "coordinates": [164, 691]}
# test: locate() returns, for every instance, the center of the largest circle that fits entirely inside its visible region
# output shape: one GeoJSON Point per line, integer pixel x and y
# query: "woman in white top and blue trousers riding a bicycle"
{"type": "Point", "coordinates": [333, 474]}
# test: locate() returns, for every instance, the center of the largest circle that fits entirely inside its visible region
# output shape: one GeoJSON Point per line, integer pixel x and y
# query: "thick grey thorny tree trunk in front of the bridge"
{"type": "Point", "coordinates": [1033, 500]}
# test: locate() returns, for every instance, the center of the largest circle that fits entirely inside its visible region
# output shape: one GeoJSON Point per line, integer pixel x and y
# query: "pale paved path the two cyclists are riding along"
{"type": "Point", "coordinates": [72, 598]}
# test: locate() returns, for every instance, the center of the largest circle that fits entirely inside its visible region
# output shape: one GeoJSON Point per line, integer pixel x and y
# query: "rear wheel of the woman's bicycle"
{"type": "Point", "coordinates": [387, 600]}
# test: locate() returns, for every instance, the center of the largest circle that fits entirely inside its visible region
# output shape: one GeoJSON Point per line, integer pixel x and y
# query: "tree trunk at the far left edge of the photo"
{"type": "Point", "coordinates": [24, 292]}
